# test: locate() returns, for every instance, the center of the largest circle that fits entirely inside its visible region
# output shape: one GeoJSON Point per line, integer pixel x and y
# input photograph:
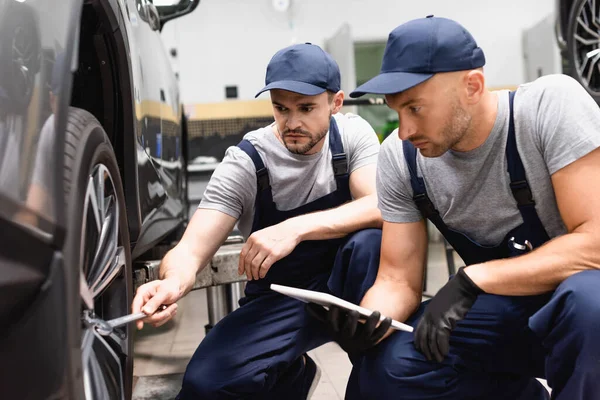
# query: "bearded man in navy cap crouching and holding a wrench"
{"type": "Point", "coordinates": [303, 191]}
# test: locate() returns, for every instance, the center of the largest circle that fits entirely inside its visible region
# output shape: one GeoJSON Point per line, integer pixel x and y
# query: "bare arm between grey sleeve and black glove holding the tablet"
{"type": "Point", "coordinates": [397, 290]}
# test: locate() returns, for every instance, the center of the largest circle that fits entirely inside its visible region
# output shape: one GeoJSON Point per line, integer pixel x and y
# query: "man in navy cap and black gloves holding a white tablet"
{"type": "Point", "coordinates": [511, 181]}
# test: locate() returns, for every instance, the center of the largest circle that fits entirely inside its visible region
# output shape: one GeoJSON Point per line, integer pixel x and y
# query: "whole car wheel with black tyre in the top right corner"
{"type": "Point", "coordinates": [583, 44]}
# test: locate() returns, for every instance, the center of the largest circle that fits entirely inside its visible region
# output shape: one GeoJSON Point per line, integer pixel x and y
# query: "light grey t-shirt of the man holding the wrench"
{"type": "Point", "coordinates": [295, 179]}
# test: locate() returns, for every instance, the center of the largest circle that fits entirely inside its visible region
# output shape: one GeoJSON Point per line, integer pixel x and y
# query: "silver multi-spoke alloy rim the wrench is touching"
{"type": "Point", "coordinates": [102, 284]}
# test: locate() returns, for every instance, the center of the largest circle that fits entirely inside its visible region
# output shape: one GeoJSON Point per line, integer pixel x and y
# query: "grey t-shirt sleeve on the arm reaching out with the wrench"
{"type": "Point", "coordinates": [232, 187]}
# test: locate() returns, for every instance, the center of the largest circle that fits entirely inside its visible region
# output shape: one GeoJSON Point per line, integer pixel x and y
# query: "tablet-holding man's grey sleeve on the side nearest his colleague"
{"type": "Point", "coordinates": [393, 189]}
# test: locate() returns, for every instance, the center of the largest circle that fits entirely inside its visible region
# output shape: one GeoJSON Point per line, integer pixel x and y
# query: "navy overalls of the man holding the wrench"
{"type": "Point", "coordinates": [256, 351]}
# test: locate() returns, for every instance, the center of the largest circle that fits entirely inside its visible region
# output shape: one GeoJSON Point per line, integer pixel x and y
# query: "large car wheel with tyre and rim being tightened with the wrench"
{"type": "Point", "coordinates": [97, 251]}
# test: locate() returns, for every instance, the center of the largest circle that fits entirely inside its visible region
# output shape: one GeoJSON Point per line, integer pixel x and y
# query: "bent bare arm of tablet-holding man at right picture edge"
{"type": "Point", "coordinates": [577, 190]}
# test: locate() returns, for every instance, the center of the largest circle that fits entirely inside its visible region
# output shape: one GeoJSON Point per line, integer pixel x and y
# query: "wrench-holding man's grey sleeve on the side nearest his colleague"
{"type": "Point", "coordinates": [362, 142]}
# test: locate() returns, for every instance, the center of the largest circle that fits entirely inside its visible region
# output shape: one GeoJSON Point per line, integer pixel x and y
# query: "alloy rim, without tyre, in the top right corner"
{"type": "Point", "coordinates": [587, 45]}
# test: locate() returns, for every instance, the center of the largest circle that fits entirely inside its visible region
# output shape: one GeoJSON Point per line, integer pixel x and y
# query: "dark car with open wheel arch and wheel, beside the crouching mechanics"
{"type": "Point", "coordinates": [92, 179]}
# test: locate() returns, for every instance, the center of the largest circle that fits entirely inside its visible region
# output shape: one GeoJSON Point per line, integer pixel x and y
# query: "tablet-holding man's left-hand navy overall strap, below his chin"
{"type": "Point", "coordinates": [420, 196]}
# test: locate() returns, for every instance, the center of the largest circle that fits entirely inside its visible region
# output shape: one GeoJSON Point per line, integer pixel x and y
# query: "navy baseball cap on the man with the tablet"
{"type": "Point", "coordinates": [418, 49]}
